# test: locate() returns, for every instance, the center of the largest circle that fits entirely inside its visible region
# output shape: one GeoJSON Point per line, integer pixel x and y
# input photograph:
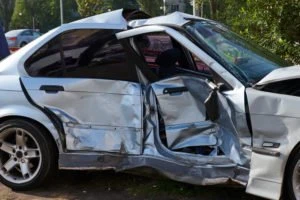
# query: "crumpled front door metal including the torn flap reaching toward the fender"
{"type": "Point", "coordinates": [183, 112]}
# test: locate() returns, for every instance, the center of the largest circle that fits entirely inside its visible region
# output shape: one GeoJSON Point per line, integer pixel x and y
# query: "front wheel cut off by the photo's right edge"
{"type": "Point", "coordinates": [292, 174]}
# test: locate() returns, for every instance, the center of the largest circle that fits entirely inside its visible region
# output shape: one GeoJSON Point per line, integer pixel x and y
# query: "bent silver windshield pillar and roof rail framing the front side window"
{"type": "Point", "coordinates": [236, 95]}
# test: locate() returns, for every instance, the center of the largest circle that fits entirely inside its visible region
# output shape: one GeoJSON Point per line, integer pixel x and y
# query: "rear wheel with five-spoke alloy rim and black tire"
{"type": "Point", "coordinates": [33, 155]}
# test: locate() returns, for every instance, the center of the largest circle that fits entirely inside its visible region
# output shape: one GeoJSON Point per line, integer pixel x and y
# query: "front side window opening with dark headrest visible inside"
{"type": "Point", "coordinates": [166, 57]}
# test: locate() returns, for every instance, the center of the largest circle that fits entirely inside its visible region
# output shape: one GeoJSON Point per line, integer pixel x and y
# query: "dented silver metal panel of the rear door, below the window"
{"type": "Point", "coordinates": [97, 115]}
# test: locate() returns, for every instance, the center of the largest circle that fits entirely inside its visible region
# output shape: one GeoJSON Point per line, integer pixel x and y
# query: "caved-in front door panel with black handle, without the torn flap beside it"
{"type": "Point", "coordinates": [183, 113]}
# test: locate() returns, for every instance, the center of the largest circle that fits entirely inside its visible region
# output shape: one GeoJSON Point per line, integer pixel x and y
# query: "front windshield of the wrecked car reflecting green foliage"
{"type": "Point", "coordinates": [244, 58]}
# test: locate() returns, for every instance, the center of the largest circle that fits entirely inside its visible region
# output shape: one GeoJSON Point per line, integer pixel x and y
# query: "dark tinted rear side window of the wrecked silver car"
{"type": "Point", "coordinates": [84, 53]}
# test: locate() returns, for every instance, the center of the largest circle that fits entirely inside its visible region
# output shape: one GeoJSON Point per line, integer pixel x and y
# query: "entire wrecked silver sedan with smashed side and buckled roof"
{"type": "Point", "coordinates": [179, 95]}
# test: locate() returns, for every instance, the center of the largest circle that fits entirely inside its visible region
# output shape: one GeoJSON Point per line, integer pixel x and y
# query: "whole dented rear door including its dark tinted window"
{"type": "Point", "coordinates": [83, 78]}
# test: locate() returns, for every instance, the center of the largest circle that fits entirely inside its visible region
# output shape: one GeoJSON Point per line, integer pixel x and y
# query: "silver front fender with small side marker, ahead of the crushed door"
{"type": "Point", "coordinates": [275, 119]}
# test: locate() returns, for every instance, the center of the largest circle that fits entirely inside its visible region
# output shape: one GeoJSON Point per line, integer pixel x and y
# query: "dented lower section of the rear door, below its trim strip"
{"type": "Point", "coordinates": [120, 140]}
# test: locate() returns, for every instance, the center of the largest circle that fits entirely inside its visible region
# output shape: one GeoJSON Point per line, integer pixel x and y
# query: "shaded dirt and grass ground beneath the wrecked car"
{"type": "Point", "coordinates": [108, 185]}
